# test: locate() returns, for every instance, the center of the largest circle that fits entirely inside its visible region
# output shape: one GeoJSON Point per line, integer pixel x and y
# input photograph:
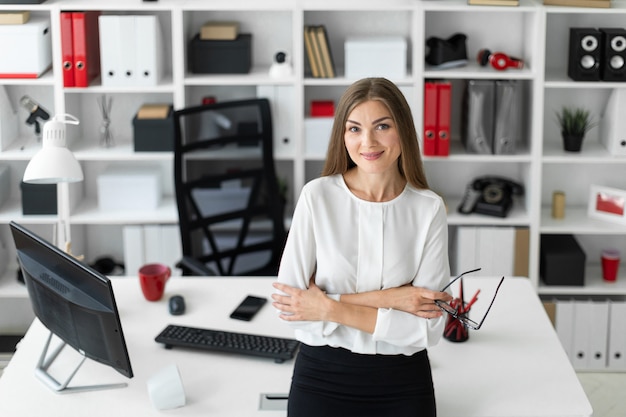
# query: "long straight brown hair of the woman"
{"type": "Point", "coordinates": [379, 89]}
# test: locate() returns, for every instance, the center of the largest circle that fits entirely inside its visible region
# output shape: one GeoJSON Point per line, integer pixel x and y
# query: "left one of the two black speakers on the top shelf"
{"type": "Point", "coordinates": [585, 46]}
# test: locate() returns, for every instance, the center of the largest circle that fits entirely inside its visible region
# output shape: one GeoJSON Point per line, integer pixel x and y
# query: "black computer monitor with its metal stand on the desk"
{"type": "Point", "coordinates": [76, 303]}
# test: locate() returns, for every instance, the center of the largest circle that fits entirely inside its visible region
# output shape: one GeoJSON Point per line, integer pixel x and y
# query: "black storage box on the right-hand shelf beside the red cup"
{"type": "Point", "coordinates": [562, 260]}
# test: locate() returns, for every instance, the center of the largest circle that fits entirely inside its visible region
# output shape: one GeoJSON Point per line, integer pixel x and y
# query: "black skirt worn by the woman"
{"type": "Point", "coordinates": [336, 382]}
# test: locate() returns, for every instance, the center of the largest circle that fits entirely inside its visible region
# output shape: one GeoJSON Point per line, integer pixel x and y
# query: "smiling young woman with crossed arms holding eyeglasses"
{"type": "Point", "coordinates": [365, 257]}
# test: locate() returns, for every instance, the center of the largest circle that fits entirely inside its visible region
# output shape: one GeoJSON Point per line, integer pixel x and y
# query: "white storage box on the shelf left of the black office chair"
{"type": "Point", "coordinates": [129, 188]}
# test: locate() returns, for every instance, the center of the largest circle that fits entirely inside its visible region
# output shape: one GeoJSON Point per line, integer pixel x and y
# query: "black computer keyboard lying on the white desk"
{"type": "Point", "coordinates": [277, 348]}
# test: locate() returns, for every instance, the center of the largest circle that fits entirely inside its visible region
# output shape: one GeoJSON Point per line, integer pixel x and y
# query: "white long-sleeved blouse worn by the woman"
{"type": "Point", "coordinates": [353, 246]}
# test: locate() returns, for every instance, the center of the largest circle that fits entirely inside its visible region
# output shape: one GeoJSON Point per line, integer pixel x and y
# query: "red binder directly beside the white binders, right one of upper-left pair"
{"type": "Point", "coordinates": [86, 47]}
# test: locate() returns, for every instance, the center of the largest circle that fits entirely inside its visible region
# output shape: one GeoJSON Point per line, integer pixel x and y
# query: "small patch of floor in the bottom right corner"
{"type": "Point", "coordinates": [605, 392]}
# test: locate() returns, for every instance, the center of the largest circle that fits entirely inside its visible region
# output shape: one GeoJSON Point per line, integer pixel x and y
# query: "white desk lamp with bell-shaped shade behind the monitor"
{"type": "Point", "coordinates": [55, 164]}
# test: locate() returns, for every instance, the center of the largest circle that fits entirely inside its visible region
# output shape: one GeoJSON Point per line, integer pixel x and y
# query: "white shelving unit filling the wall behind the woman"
{"type": "Point", "coordinates": [531, 31]}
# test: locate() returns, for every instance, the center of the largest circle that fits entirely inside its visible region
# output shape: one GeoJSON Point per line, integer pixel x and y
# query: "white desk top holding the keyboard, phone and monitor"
{"type": "Point", "coordinates": [514, 366]}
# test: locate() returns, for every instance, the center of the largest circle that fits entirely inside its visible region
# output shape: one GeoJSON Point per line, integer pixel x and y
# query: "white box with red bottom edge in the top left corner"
{"type": "Point", "coordinates": [25, 50]}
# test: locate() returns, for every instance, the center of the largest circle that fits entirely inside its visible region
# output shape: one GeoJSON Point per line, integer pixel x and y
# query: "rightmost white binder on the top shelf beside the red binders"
{"type": "Point", "coordinates": [148, 51]}
